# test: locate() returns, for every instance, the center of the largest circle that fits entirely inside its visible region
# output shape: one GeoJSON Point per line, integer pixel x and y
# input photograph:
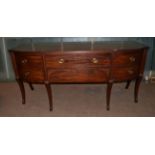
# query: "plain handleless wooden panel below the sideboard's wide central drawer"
{"type": "Point", "coordinates": [77, 75]}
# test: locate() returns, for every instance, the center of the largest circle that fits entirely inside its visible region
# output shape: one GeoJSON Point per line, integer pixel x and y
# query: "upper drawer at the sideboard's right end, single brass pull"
{"type": "Point", "coordinates": [127, 58]}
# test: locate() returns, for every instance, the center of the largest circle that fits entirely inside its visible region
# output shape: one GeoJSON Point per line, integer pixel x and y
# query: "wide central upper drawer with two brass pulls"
{"type": "Point", "coordinates": [71, 60]}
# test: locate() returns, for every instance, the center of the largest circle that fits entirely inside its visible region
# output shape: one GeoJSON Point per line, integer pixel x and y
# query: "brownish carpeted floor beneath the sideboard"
{"type": "Point", "coordinates": [77, 100]}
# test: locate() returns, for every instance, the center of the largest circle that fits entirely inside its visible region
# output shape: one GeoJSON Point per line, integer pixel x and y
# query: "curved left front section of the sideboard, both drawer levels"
{"type": "Point", "coordinates": [30, 66]}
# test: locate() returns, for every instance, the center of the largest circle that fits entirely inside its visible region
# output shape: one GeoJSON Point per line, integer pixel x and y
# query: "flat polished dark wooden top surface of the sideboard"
{"type": "Point", "coordinates": [79, 46]}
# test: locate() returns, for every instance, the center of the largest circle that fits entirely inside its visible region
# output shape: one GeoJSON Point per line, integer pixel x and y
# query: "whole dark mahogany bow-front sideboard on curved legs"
{"type": "Point", "coordinates": [100, 62]}
